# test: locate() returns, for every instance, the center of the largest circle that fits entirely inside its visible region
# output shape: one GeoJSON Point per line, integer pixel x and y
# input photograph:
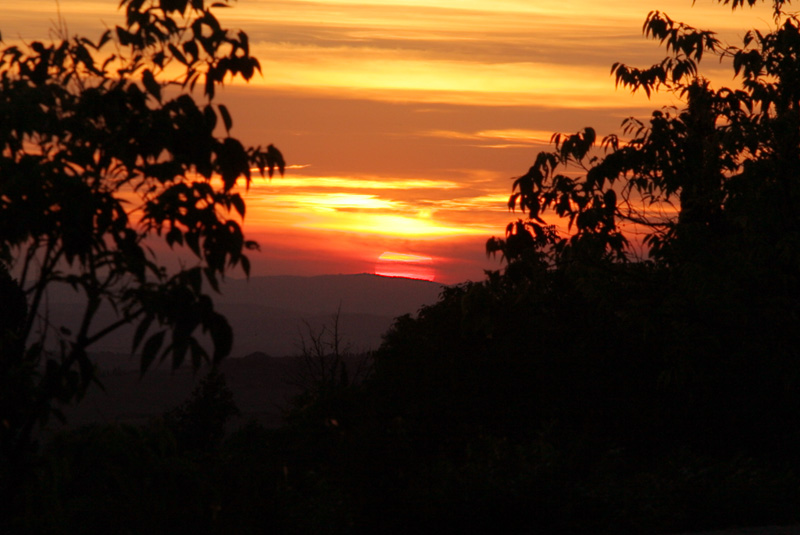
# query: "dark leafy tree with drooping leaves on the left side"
{"type": "Point", "coordinates": [104, 148]}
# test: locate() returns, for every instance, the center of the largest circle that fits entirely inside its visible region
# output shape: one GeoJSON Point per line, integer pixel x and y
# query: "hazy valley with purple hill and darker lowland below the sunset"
{"type": "Point", "coordinates": [271, 316]}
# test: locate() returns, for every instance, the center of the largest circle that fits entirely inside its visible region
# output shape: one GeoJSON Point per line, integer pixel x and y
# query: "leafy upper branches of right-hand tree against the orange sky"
{"type": "Point", "coordinates": [715, 175]}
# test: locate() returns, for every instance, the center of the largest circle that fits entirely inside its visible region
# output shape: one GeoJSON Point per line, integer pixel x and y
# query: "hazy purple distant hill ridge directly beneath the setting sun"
{"type": "Point", "coordinates": [273, 314]}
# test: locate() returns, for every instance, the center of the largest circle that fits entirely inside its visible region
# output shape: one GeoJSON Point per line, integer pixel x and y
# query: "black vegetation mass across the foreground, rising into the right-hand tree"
{"type": "Point", "coordinates": [578, 390]}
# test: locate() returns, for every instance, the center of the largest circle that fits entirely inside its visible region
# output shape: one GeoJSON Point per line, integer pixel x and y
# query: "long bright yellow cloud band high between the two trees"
{"type": "Point", "coordinates": [525, 83]}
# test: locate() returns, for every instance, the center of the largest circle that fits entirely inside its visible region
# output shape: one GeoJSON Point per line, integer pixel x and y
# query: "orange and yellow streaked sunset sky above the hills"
{"type": "Point", "coordinates": [403, 121]}
